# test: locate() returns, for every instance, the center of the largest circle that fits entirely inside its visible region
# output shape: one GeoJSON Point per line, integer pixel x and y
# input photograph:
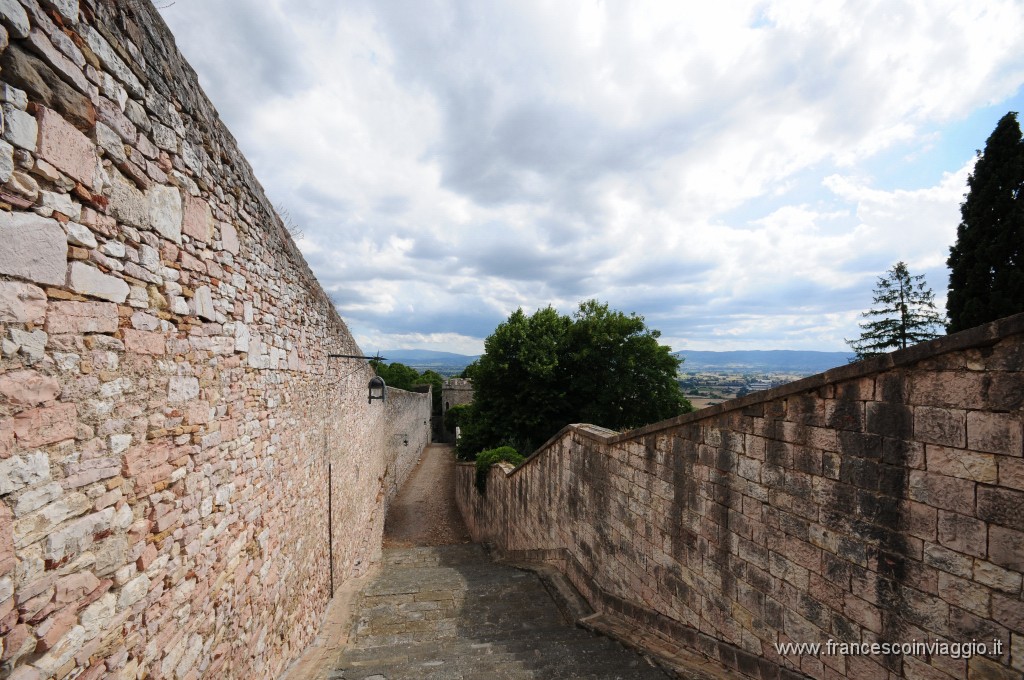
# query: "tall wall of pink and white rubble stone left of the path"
{"type": "Point", "coordinates": [173, 432]}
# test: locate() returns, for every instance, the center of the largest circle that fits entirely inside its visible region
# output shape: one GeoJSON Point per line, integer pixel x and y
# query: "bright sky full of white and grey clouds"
{"type": "Point", "coordinates": [739, 174]}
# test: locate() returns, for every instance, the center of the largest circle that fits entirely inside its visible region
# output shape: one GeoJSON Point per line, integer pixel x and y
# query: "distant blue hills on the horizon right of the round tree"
{"type": "Point", "coordinates": [771, 361]}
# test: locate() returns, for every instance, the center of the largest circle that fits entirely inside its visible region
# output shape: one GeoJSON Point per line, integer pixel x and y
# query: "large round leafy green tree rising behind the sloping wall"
{"type": "Point", "coordinates": [543, 372]}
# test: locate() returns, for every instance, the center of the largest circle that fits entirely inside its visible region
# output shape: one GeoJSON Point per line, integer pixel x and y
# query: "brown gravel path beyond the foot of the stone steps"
{"type": "Point", "coordinates": [424, 513]}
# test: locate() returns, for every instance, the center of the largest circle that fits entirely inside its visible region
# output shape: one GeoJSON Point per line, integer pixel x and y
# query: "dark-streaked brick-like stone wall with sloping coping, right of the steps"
{"type": "Point", "coordinates": [879, 502]}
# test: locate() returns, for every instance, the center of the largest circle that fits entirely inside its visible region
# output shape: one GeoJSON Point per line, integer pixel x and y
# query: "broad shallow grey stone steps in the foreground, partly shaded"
{"type": "Point", "coordinates": [449, 613]}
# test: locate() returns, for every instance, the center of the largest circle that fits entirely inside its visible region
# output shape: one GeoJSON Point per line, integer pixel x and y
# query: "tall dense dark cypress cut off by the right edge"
{"type": "Point", "coordinates": [987, 264]}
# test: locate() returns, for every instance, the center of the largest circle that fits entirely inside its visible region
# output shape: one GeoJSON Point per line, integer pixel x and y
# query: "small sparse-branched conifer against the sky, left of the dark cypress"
{"type": "Point", "coordinates": [906, 317]}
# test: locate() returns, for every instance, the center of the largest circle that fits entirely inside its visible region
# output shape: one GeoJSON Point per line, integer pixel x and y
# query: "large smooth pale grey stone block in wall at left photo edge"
{"type": "Point", "coordinates": [35, 248]}
